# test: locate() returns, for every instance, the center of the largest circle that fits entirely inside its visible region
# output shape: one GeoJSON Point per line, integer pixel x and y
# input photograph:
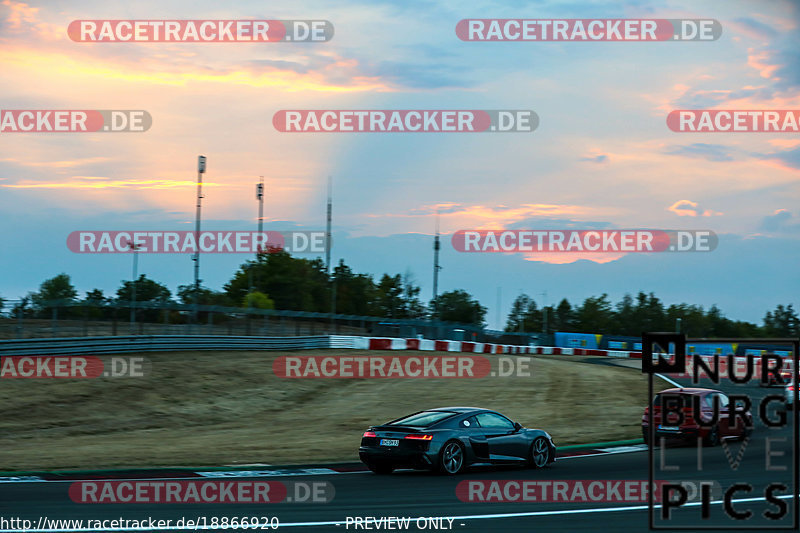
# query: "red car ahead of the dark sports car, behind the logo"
{"type": "Point", "coordinates": [689, 428]}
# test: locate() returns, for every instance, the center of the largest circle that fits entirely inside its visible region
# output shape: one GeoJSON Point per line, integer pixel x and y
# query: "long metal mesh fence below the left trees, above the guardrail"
{"type": "Point", "coordinates": [79, 319]}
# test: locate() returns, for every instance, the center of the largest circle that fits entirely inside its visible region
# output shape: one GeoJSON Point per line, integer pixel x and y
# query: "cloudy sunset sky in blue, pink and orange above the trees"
{"type": "Point", "coordinates": [602, 156]}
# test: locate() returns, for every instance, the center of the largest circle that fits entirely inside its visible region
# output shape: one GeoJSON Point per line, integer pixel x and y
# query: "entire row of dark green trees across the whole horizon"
{"type": "Point", "coordinates": [280, 281]}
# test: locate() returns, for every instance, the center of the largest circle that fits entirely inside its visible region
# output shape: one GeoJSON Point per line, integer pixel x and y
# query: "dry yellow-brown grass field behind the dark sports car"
{"type": "Point", "coordinates": [216, 408]}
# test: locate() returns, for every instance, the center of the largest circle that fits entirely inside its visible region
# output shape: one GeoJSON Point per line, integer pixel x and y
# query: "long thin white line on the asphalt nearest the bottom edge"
{"type": "Point", "coordinates": [454, 518]}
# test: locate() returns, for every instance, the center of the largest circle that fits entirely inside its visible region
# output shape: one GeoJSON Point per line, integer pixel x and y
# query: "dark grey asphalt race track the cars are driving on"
{"type": "Point", "coordinates": [420, 494]}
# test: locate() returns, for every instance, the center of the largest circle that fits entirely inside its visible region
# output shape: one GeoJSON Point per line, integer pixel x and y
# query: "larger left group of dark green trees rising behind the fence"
{"type": "Point", "coordinates": [273, 280]}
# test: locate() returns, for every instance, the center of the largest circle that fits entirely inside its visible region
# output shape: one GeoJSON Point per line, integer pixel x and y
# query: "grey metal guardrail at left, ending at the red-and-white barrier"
{"type": "Point", "coordinates": [157, 343]}
